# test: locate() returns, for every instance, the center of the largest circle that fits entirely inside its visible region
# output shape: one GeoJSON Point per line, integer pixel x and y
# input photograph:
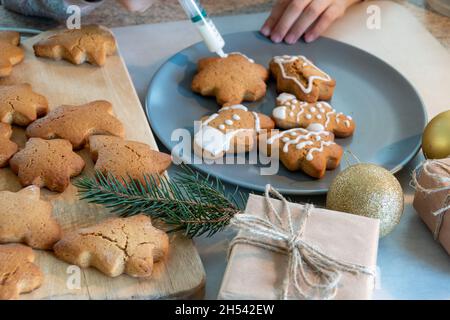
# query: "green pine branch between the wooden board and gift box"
{"type": "Point", "coordinates": [190, 202]}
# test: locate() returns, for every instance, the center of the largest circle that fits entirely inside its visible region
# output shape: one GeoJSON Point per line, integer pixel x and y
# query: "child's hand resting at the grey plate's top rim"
{"type": "Point", "coordinates": [290, 19]}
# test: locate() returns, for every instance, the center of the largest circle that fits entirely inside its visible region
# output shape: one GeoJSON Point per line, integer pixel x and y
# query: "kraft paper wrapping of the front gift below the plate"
{"type": "Point", "coordinates": [254, 274]}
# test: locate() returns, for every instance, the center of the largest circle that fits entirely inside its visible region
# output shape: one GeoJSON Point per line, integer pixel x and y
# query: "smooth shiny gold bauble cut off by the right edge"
{"type": "Point", "coordinates": [436, 137]}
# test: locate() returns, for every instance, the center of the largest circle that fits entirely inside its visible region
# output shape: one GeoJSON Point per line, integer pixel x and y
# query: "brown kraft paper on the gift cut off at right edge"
{"type": "Point", "coordinates": [426, 204]}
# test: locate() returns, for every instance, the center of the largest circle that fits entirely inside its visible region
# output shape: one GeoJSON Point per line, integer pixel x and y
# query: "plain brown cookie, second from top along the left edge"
{"type": "Point", "coordinates": [20, 105]}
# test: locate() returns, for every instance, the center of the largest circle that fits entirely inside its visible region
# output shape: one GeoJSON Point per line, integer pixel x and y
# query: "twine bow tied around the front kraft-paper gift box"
{"type": "Point", "coordinates": [271, 234]}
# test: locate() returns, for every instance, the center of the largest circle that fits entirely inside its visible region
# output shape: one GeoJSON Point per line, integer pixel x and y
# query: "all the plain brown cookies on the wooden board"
{"type": "Point", "coordinates": [50, 158]}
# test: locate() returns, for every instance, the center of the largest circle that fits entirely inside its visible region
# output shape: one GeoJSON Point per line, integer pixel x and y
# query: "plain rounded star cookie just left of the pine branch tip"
{"type": "Point", "coordinates": [47, 163]}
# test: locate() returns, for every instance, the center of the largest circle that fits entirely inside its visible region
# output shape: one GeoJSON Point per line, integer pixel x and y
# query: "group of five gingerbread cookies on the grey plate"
{"type": "Point", "coordinates": [308, 123]}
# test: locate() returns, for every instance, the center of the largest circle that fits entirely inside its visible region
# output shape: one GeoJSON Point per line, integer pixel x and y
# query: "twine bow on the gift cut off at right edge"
{"type": "Point", "coordinates": [443, 179]}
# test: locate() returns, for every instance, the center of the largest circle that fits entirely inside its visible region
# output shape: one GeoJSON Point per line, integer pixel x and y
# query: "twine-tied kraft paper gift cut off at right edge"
{"type": "Point", "coordinates": [432, 195]}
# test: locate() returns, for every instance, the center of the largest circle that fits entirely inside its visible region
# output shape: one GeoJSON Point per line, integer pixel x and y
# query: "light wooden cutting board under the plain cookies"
{"type": "Point", "coordinates": [182, 274]}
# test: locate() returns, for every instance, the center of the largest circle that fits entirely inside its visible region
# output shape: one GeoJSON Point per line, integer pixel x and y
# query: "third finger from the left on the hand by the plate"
{"type": "Point", "coordinates": [308, 17]}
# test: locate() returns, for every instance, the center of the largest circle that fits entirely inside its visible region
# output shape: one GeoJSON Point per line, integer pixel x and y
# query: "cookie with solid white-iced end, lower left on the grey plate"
{"type": "Point", "coordinates": [234, 129]}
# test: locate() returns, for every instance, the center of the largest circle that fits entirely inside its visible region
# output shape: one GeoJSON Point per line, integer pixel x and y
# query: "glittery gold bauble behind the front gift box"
{"type": "Point", "coordinates": [368, 190]}
